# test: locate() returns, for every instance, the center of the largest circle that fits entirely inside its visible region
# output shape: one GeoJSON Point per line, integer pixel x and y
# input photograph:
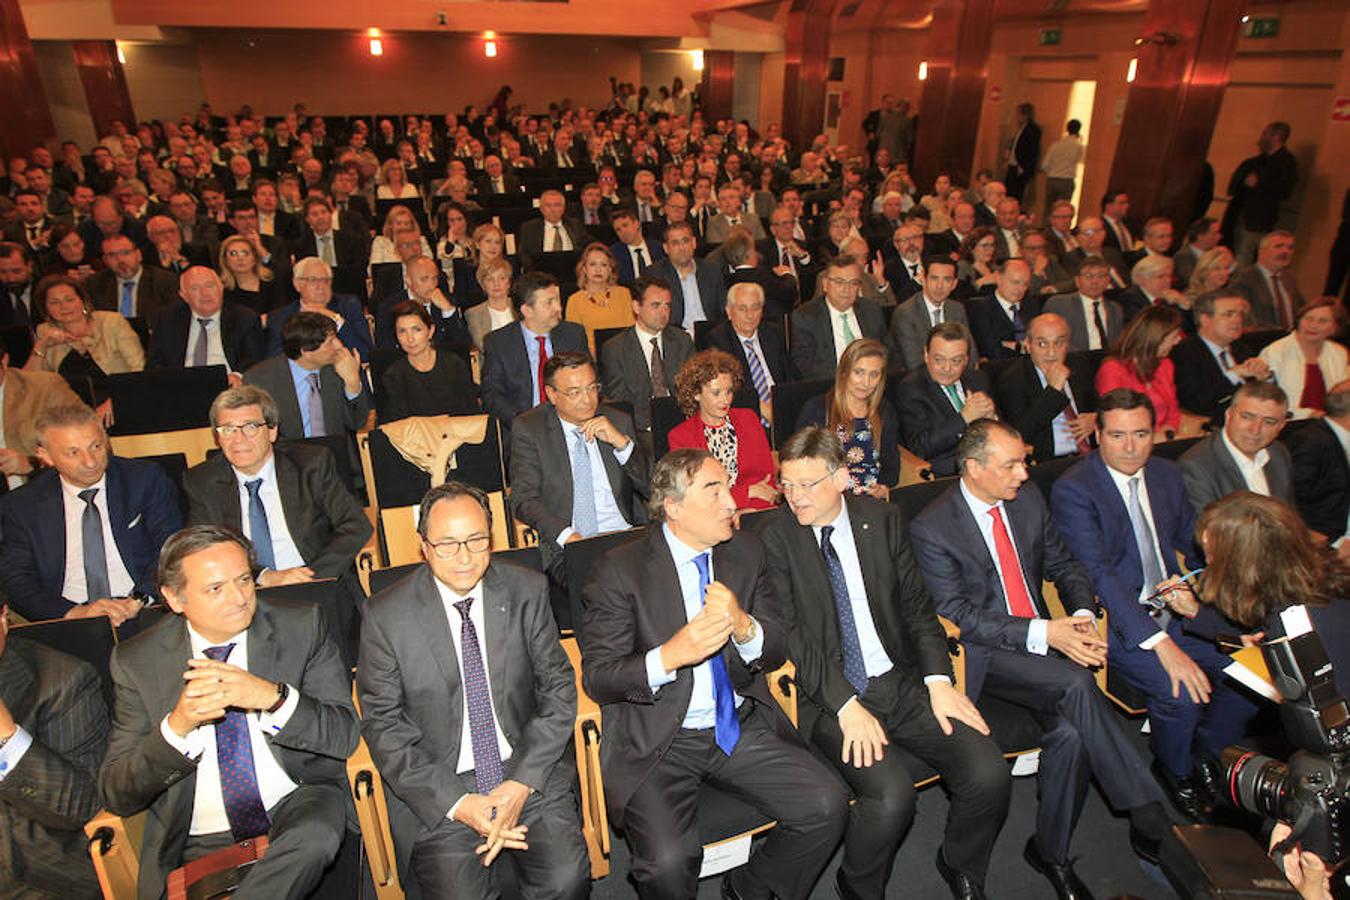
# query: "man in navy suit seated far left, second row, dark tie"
{"type": "Point", "coordinates": [83, 538]}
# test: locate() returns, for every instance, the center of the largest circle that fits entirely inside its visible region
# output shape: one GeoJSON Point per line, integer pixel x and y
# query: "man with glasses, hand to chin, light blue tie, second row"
{"type": "Point", "coordinates": [565, 453]}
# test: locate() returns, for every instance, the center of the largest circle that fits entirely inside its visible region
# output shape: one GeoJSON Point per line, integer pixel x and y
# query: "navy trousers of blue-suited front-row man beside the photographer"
{"type": "Point", "coordinates": [1182, 728]}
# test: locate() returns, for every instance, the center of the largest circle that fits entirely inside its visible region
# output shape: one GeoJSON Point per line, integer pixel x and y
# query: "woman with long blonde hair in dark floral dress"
{"type": "Point", "coordinates": [866, 423]}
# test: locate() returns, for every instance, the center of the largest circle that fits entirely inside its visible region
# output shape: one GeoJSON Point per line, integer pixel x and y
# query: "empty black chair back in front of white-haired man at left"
{"type": "Point", "coordinates": [165, 400]}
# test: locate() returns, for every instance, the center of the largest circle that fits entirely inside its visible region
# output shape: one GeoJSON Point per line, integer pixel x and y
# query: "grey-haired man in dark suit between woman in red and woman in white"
{"type": "Point", "coordinates": [1212, 366]}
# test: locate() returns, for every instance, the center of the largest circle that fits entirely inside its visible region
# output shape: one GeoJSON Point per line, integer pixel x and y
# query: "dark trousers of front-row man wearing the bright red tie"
{"type": "Point", "coordinates": [1082, 741]}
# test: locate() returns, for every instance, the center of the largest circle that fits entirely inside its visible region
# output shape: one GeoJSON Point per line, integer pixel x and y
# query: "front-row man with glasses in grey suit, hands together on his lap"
{"type": "Point", "coordinates": [469, 710]}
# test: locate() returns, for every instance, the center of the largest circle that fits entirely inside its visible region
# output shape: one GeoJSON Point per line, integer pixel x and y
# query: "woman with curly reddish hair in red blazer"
{"type": "Point", "coordinates": [705, 387]}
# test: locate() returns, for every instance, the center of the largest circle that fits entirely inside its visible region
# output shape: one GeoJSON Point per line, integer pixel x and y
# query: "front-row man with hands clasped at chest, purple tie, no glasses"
{"type": "Point", "coordinates": [240, 687]}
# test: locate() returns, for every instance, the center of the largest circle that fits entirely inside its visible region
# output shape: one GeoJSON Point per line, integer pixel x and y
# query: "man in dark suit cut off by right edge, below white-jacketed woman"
{"type": "Point", "coordinates": [1321, 457]}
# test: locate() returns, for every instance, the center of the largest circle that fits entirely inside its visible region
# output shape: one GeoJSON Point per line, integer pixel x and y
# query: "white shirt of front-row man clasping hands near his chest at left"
{"type": "Point", "coordinates": [275, 786]}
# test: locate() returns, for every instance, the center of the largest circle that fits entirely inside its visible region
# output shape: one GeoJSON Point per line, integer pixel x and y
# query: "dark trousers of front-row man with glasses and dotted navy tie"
{"type": "Point", "coordinates": [973, 771]}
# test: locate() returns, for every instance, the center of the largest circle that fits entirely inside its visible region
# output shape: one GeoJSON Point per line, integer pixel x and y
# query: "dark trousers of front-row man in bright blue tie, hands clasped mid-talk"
{"type": "Point", "coordinates": [781, 779]}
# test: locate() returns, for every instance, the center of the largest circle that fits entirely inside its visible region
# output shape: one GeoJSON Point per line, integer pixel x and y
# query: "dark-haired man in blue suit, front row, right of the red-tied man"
{"type": "Point", "coordinates": [1128, 517]}
